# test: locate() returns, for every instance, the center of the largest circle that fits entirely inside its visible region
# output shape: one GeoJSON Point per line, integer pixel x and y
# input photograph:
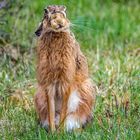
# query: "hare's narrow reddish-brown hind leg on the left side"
{"type": "Point", "coordinates": [41, 106]}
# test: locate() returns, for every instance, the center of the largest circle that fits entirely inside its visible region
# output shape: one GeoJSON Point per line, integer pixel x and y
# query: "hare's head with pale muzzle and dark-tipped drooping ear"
{"type": "Point", "coordinates": [54, 20]}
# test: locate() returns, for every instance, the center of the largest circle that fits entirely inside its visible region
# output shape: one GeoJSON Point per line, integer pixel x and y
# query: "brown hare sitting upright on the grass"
{"type": "Point", "coordinates": [65, 95]}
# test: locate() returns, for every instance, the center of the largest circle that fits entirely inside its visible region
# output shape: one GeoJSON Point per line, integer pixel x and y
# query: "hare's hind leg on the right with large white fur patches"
{"type": "Point", "coordinates": [80, 105]}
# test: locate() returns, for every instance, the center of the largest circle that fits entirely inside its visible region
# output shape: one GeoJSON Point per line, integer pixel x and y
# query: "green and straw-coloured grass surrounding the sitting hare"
{"type": "Point", "coordinates": [109, 34]}
